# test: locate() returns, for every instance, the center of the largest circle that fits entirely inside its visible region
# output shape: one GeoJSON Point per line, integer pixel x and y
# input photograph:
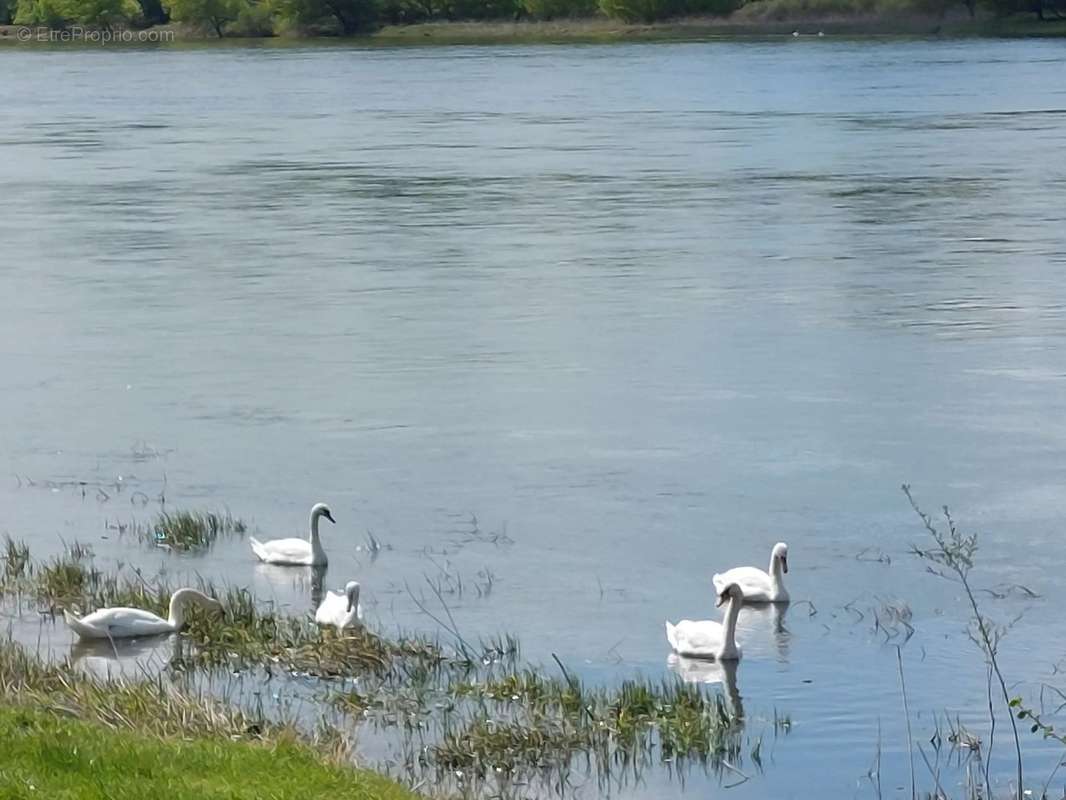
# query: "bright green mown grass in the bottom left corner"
{"type": "Point", "coordinates": [66, 759]}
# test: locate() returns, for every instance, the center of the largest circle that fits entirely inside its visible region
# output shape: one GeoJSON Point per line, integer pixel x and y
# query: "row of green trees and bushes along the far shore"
{"type": "Point", "coordinates": [350, 18]}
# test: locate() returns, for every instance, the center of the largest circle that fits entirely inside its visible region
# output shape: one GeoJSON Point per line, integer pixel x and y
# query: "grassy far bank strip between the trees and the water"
{"type": "Point", "coordinates": [585, 31]}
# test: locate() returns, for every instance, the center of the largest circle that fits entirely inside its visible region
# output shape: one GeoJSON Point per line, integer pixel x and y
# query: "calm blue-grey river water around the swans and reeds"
{"type": "Point", "coordinates": [585, 324]}
